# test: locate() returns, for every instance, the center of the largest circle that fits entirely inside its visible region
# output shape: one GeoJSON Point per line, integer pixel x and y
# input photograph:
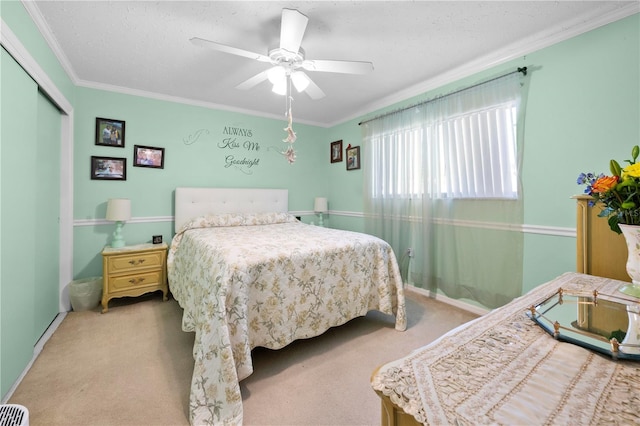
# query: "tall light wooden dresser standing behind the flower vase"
{"type": "Point", "coordinates": [599, 250]}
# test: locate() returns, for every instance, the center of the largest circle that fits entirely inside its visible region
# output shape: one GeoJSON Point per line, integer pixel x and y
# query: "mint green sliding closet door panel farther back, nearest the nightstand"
{"type": "Point", "coordinates": [47, 224]}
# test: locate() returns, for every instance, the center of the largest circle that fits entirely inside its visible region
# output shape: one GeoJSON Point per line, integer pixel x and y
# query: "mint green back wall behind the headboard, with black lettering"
{"type": "Point", "coordinates": [195, 155]}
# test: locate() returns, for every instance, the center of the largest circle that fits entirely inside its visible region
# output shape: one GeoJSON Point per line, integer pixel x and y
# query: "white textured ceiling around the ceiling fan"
{"type": "Point", "coordinates": [143, 47]}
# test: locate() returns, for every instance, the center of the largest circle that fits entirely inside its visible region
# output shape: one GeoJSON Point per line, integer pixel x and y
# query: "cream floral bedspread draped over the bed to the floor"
{"type": "Point", "coordinates": [266, 280]}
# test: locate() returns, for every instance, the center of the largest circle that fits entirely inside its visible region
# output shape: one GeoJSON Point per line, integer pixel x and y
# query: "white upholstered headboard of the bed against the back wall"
{"type": "Point", "coordinates": [194, 202]}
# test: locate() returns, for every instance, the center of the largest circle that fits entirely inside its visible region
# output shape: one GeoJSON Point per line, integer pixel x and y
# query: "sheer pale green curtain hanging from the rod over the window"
{"type": "Point", "coordinates": [442, 186]}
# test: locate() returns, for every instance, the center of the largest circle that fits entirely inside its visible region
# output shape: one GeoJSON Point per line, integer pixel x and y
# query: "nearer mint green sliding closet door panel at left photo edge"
{"type": "Point", "coordinates": [17, 218]}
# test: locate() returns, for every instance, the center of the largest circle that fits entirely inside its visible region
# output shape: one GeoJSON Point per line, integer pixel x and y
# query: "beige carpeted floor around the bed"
{"type": "Point", "coordinates": [133, 365]}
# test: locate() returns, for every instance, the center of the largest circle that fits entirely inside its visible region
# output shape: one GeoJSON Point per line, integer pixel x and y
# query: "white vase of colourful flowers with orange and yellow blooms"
{"type": "Point", "coordinates": [619, 196]}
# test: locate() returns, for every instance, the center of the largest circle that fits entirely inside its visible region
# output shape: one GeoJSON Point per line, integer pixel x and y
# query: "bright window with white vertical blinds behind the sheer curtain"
{"type": "Point", "coordinates": [469, 155]}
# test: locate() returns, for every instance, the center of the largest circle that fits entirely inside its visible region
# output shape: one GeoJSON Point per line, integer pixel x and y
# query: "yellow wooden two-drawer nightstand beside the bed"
{"type": "Point", "coordinates": [133, 271]}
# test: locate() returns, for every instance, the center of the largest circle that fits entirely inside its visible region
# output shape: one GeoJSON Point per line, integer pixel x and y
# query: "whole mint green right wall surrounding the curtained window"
{"type": "Point", "coordinates": [583, 109]}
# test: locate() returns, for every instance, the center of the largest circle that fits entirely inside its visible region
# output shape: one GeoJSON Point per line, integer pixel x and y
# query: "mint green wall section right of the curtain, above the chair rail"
{"type": "Point", "coordinates": [583, 109]}
